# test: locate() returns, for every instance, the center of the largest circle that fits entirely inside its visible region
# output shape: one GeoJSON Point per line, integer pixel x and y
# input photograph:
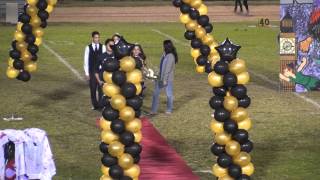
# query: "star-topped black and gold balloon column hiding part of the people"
{"type": "Point", "coordinates": [121, 126]}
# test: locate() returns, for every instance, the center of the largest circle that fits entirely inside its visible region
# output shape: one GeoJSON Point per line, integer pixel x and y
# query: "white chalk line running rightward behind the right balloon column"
{"type": "Point", "coordinates": [261, 76]}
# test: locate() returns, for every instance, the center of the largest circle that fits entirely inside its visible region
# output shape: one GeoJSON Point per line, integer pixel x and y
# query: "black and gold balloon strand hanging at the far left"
{"type": "Point", "coordinates": [28, 37]}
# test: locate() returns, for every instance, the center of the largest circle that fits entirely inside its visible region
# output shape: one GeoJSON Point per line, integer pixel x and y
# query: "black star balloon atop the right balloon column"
{"type": "Point", "coordinates": [228, 51]}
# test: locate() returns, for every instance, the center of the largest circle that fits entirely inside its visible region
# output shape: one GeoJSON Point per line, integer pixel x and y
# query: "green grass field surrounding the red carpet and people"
{"type": "Point", "coordinates": [286, 128]}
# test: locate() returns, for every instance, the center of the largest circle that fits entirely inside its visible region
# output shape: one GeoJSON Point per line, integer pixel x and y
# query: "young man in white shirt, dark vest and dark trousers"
{"type": "Point", "coordinates": [92, 52]}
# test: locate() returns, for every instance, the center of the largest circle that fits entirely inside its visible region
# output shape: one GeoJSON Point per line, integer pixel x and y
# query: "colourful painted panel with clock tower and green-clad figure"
{"type": "Point", "coordinates": [304, 71]}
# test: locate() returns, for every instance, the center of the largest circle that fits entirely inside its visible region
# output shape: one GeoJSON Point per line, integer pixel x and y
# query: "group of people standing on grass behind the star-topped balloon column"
{"type": "Point", "coordinates": [96, 54]}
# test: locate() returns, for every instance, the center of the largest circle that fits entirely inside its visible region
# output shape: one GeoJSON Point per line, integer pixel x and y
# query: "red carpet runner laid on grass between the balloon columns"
{"type": "Point", "coordinates": [159, 161]}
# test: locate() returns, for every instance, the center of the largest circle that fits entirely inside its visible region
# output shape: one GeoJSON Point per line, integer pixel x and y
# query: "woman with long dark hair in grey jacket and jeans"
{"type": "Point", "coordinates": [166, 76]}
